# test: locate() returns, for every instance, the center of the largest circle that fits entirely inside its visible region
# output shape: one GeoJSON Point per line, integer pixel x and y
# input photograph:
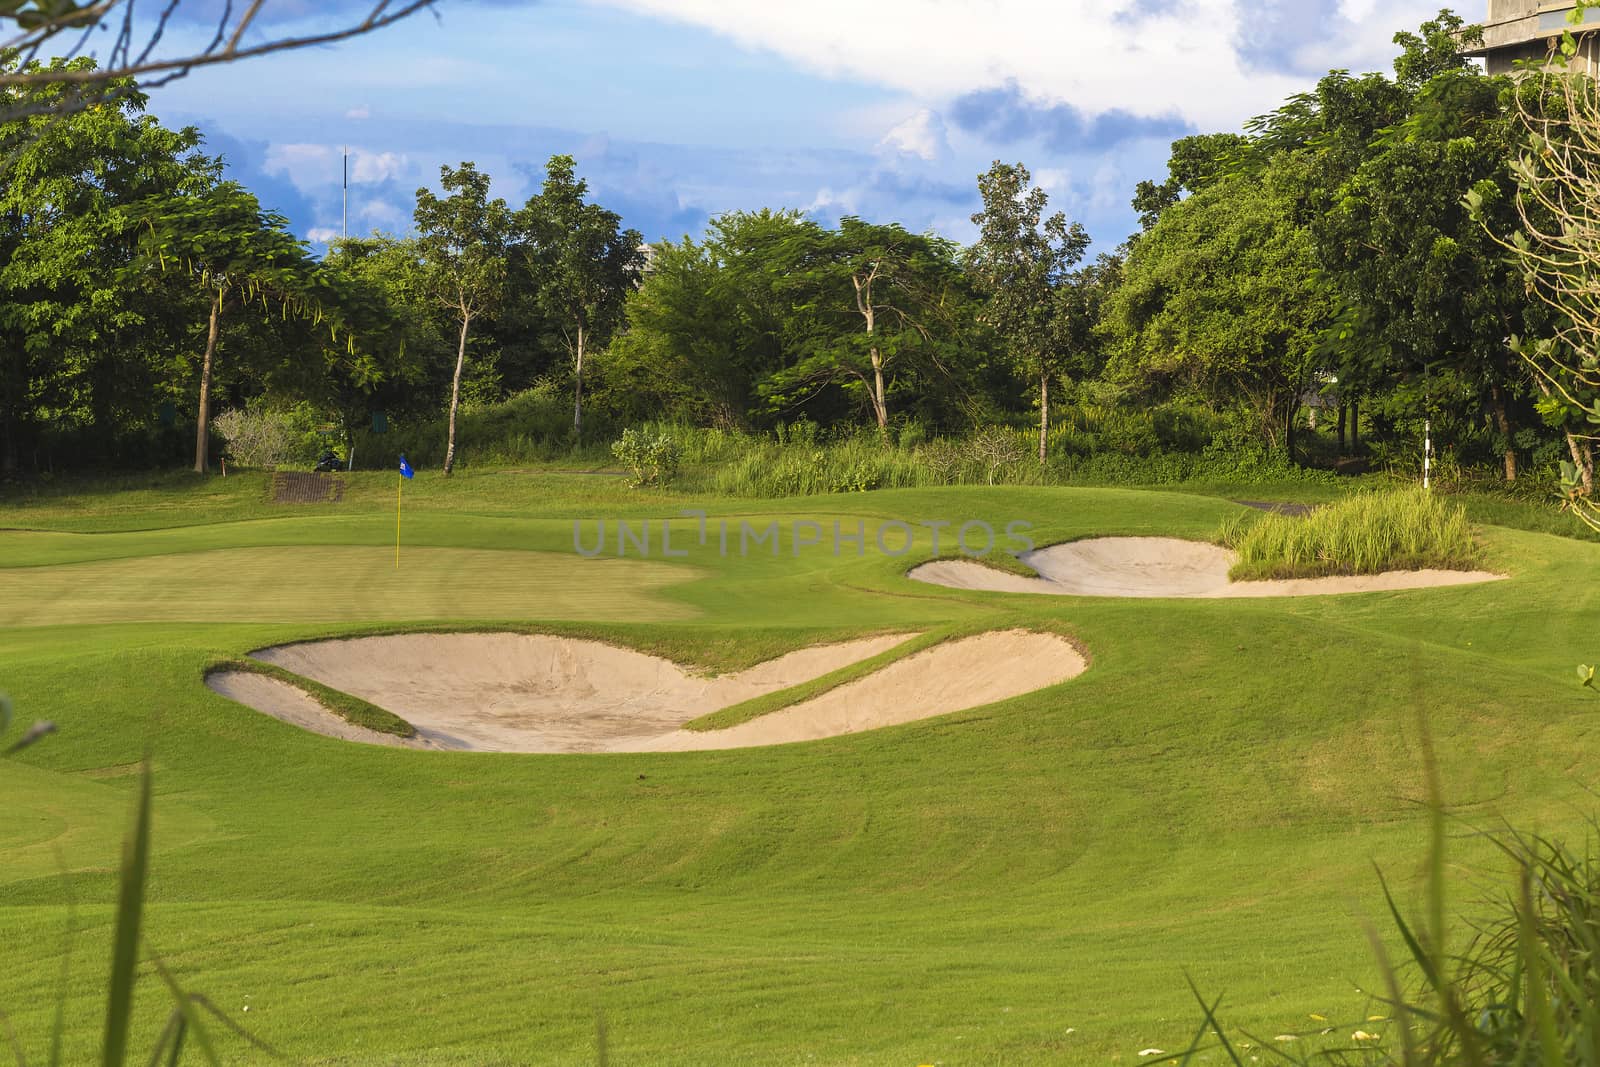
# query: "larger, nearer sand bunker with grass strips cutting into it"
{"type": "Point", "coordinates": [538, 693]}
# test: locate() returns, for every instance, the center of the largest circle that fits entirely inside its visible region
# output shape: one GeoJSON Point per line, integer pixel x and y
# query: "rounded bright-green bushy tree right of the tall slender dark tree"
{"type": "Point", "coordinates": [1222, 297]}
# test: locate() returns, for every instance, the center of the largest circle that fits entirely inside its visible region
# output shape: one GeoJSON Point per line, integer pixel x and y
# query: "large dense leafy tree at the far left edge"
{"type": "Point", "coordinates": [79, 334]}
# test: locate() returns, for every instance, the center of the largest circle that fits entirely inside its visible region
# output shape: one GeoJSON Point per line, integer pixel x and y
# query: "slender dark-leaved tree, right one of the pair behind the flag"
{"type": "Point", "coordinates": [583, 262]}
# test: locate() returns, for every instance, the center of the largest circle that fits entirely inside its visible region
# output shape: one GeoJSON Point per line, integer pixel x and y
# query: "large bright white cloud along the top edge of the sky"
{"type": "Point", "coordinates": [1097, 55]}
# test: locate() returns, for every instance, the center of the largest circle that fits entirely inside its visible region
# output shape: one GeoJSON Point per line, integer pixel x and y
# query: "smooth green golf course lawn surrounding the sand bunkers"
{"type": "Point", "coordinates": [1022, 884]}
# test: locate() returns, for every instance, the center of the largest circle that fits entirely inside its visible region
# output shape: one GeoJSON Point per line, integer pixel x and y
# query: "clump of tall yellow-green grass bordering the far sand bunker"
{"type": "Point", "coordinates": [1369, 533]}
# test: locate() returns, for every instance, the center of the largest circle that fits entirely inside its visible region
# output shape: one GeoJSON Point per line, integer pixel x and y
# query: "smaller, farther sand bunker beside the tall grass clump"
{"type": "Point", "coordinates": [1161, 567]}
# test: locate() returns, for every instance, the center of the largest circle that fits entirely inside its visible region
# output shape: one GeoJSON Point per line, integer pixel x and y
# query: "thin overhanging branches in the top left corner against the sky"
{"type": "Point", "coordinates": [36, 28]}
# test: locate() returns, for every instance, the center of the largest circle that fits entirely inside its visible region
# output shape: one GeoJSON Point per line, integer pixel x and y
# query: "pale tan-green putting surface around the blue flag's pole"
{"type": "Point", "coordinates": [340, 583]}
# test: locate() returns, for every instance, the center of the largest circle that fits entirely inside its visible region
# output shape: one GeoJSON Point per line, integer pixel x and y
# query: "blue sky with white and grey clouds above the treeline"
{"type": "Point", "coordinates": [681, 110]}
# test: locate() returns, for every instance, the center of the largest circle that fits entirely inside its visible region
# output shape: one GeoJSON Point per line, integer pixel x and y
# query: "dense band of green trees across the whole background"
{"type": "Point", "coordinates": [1316, 290]}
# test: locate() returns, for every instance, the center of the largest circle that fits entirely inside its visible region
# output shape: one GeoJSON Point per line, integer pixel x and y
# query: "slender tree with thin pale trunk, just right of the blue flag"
{"type": "Point", "coordinates": [463, 242]}
